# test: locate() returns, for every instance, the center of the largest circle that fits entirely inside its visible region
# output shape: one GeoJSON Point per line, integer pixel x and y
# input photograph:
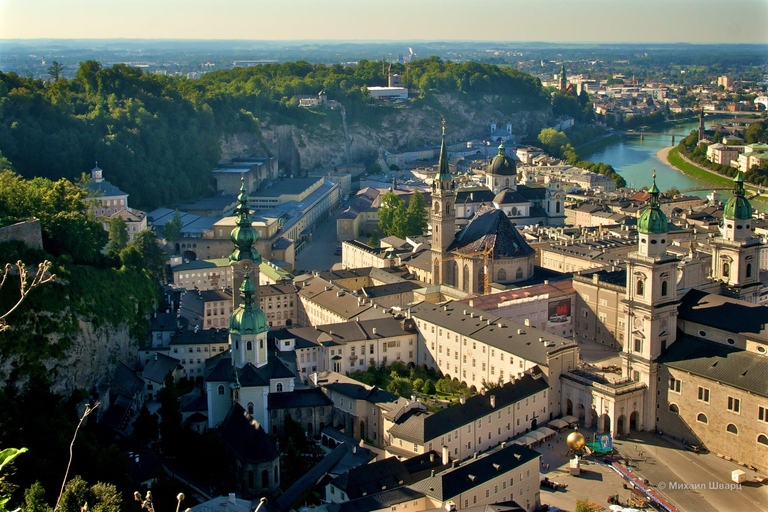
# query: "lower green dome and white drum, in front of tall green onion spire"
{"type": "Point", "coordinates": [248, 328]}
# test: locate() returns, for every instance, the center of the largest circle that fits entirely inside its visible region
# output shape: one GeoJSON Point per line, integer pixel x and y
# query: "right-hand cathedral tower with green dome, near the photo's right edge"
{"type": "Point", "coordinates": [736, 253]}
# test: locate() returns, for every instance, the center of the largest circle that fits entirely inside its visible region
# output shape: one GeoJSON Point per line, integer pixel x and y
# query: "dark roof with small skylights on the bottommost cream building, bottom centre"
{"type": "Point", "coordinates": [454, 481]}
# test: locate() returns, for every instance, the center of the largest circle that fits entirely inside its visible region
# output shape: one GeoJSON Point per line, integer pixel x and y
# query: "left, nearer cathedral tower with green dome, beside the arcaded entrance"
{"type": "Point", "coordinates": [650, 304]}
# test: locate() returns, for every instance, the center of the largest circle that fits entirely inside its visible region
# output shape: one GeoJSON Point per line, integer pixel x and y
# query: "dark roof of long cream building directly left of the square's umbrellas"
{"type": "Point", "coordinates": [419, 427]}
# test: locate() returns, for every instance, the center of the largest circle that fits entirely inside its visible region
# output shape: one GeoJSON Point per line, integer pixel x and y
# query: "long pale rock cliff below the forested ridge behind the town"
{"type": "Point", "coordinates": [323, 145]}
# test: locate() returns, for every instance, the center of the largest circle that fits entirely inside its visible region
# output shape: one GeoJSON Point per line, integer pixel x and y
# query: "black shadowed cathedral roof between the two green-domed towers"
{"type": "Point", "coordinates": [721, 312]}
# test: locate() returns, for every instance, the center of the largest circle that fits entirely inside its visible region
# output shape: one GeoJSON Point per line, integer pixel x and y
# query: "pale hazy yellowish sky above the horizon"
{"type": "Point", "coordinates": [668, 21]}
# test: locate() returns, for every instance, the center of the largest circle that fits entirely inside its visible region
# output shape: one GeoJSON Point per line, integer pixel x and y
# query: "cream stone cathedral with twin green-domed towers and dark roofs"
{"type": "Point", "coordinates": [693, 364]}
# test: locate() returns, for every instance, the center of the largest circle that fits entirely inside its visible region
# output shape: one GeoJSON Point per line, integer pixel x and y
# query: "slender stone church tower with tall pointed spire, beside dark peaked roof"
{"type": "Point", "coordinates": [443, 219]}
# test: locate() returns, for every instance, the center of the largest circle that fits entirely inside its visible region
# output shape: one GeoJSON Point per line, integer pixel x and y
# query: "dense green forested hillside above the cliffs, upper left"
{"type": "Point", "coordinates": [158, 137]}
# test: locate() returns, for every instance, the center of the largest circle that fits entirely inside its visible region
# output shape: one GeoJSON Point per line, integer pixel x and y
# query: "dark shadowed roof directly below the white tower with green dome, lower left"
{"type": "Point", "coordinates": [245, 438]}
